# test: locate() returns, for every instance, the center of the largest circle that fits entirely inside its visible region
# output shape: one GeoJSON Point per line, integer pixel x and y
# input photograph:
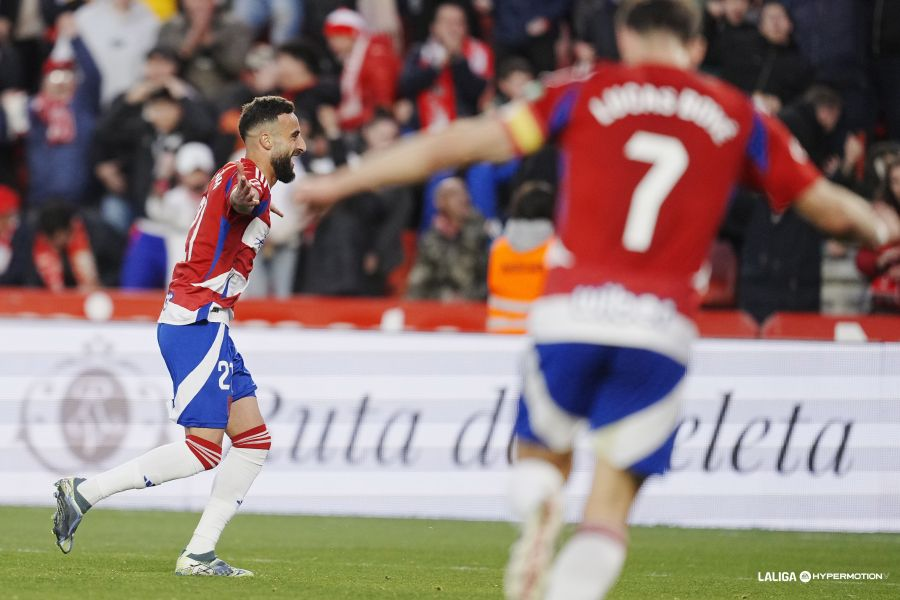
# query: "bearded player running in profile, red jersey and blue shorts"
{"type": "Point", "coordinates": [214, 393]}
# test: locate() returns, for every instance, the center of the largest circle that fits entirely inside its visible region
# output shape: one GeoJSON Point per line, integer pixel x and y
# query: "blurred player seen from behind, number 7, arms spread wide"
{"type": "Point", "coordinates": [651, 151]}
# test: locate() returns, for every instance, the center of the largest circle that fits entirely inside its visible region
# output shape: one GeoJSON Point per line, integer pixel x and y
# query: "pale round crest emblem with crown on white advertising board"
{"type": "Point", "coordinates": [92, 410]}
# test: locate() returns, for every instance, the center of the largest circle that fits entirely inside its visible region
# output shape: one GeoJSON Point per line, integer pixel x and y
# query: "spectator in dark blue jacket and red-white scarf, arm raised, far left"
{"type": "Point", "coordinates": [62, 120]}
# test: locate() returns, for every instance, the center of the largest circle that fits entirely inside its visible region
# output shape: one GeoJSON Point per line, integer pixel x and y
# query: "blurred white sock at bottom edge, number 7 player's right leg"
{"type": "Point", "coordinates": [588, 565]}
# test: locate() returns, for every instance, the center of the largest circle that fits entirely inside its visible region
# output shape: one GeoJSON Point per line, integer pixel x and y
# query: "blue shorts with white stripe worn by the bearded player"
{"type": "Point", "coordinates": [207, 371]}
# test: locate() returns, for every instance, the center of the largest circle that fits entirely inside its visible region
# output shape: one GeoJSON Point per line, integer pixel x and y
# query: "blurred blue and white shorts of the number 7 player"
{"type": "Point", "coordinates": [628, 397]}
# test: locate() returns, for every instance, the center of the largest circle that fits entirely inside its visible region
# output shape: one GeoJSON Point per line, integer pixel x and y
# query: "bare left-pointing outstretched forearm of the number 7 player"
{"type": "Point", "coordinates": [413, 159]}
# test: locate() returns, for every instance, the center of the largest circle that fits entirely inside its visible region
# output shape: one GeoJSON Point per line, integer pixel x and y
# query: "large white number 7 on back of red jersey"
{"type": "Point", "coordinates": [668, 161]}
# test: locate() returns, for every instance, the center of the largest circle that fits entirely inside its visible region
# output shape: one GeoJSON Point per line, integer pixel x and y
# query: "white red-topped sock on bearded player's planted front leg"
{"type": "Point", "coordinates": [236, 474]}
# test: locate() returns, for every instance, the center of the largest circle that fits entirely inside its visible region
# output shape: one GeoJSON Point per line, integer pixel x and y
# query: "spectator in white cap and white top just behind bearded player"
{"type": "Point", "coordinates": [157, 242]}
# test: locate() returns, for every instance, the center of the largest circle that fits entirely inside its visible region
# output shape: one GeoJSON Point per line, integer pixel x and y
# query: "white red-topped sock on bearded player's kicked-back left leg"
{"type": "Point", "coordinates": [172, 461]}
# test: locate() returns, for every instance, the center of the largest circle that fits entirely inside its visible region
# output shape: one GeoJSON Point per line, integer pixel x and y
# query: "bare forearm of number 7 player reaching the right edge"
{"type": "Point", "coordinates": [840, 212]}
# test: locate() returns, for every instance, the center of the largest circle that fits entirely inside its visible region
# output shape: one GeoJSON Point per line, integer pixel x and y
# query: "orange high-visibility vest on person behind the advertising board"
{"type": "Point", "coordinates": [515, 280]}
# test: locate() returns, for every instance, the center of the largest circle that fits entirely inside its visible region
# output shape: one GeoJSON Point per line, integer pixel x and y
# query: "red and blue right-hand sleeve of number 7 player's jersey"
{"type": "Point", "coordinates": [775, 162]}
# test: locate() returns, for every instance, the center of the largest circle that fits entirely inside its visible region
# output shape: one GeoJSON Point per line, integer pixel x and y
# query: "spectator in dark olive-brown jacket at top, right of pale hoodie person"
{"type": "Point", "coordinates": [211, 43]}
